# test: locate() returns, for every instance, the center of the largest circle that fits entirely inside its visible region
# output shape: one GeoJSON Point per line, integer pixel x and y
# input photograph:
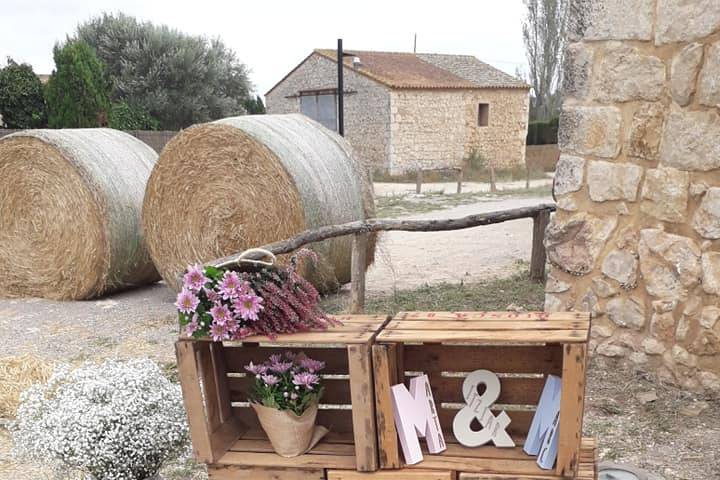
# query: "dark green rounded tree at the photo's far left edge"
{"type": "Point", "coordinates": [22, 104]}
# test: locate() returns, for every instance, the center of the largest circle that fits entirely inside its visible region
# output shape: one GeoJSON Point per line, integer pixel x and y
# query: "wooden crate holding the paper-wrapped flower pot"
{"type": "Point", "coordinates": [225, 431]}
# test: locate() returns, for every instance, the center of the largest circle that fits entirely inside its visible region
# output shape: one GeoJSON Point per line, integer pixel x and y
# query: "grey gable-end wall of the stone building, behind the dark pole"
{"type": "Point", "coordinates": [367, 106]}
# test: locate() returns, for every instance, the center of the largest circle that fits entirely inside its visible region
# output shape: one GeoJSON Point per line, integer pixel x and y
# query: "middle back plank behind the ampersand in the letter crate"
{"type": "Point", "coordinates": [513, 390]}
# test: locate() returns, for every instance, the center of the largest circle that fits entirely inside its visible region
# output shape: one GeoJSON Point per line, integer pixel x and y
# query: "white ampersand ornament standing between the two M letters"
{"type": "Point", "coordinates": [478, 406]}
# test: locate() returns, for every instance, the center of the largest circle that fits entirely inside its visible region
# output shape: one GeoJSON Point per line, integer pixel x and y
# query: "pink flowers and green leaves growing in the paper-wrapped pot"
{"type": "Point", "coordinates": [287, 382]}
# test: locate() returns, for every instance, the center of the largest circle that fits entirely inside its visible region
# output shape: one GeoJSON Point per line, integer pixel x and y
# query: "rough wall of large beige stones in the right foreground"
{"type": "Point", "coordinates": [636, 239]}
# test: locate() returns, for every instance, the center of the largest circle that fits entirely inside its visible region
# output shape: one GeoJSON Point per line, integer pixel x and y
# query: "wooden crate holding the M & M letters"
{"type": "Point", "coordinates": [523, 348]}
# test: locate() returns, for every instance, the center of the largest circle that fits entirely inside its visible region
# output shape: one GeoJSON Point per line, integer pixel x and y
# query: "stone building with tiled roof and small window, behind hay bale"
{"type": "Point", "coordinates": [404, 110]}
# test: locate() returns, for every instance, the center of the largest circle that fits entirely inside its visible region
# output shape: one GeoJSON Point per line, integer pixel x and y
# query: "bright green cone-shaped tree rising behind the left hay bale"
{"type": "Point", "coordinates": [77, 92]}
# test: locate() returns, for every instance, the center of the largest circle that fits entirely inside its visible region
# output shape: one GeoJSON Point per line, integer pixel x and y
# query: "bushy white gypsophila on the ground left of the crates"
{"type": "Point", "coordinates": [119, 420]}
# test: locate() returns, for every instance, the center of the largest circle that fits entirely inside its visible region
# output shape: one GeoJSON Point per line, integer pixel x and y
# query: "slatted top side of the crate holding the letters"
{"type": "Point", "coordinates": [501, 327]}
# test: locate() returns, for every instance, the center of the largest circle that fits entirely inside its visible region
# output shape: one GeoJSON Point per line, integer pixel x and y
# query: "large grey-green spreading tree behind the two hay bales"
{"type": "Point", "coordinates": [178, 79]}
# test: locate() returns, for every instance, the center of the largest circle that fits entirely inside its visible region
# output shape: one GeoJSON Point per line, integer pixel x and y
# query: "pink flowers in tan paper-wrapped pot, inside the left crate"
{"type": "Point", "coordinates": [285, 397]}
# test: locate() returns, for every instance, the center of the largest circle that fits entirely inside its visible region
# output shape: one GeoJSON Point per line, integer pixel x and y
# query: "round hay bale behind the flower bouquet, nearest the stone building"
{"type": "Point", "coordinates": [237, 183]}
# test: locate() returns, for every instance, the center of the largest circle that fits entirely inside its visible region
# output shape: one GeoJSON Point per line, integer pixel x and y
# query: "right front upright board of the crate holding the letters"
{"type": "Point", "coordinates": [571, 409]}
